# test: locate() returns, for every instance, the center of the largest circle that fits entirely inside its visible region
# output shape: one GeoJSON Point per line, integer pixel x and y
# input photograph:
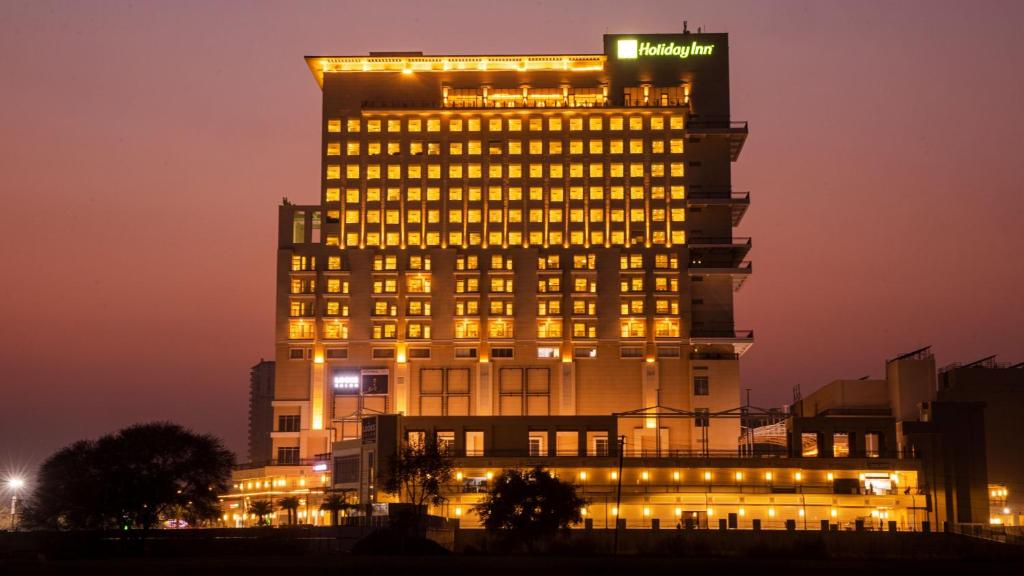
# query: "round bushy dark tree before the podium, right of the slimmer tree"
{"type": "Point", "coordinates": [527, 507]}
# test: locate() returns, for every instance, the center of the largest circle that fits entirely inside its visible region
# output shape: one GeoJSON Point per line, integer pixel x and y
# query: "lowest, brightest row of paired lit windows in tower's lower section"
{"type": "Point", "coordinates": [497, 328]}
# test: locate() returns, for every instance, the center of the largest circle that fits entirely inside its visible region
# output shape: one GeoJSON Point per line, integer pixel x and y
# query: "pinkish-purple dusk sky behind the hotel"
{"type": "Point", "coordinates": [146, 148]}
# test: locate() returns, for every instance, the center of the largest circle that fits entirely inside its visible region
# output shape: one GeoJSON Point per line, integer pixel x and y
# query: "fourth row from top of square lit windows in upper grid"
{"type": "Point", "coordinates": [513, 194]}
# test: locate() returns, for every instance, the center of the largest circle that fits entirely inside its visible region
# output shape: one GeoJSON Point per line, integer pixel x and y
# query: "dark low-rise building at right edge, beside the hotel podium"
{"type": "Point", "coordinates": [961, 424]}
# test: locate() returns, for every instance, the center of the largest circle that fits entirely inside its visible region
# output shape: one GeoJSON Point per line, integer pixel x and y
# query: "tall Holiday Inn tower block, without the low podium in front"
{"type": "Point", "coordinates": [518, 235]}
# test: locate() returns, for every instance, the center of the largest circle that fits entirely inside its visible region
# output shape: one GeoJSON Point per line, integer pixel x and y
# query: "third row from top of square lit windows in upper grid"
{"type": "Point", "coordinates": [513, 171]}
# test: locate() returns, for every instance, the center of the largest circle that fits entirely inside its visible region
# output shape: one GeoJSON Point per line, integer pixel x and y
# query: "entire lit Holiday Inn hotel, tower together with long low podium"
{"type": "Point", "coordinates": [531, 259]}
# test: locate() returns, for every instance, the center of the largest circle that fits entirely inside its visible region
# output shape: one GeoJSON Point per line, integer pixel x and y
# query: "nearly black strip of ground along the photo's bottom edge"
{"type": "Point", "coordinates": [499, 566]}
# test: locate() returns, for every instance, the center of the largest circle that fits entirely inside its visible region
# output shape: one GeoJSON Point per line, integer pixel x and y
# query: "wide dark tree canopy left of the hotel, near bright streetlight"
{"type": "Point", "coordinates": [135, 478]}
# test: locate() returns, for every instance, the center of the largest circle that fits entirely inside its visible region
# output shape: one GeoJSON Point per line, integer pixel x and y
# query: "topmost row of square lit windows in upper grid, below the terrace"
{"type": "Point", "coordinates": [511, 125]}
